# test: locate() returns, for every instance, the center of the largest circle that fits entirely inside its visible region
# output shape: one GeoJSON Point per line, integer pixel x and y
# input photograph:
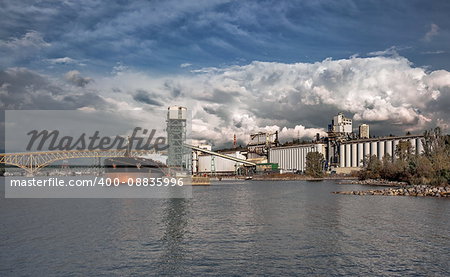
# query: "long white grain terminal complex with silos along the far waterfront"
{"type": "Point", "coordinates": [342, 149]}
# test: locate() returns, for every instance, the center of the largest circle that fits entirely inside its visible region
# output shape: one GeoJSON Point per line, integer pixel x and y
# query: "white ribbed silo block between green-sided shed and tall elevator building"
{"type": "Point", "coordinates": [293, 158]}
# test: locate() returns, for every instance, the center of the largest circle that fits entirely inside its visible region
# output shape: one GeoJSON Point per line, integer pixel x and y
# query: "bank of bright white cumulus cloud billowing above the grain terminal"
{"type": "Point", "coordinates": [298, 99]}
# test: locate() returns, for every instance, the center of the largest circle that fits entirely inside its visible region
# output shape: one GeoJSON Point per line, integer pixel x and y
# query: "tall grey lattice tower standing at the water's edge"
{"type": "Point", "coordinates": [176, 136]}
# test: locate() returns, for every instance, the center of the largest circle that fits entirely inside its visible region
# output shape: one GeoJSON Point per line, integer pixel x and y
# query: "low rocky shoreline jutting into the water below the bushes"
{"type": "Point", "coordinates": [421, 190]}
